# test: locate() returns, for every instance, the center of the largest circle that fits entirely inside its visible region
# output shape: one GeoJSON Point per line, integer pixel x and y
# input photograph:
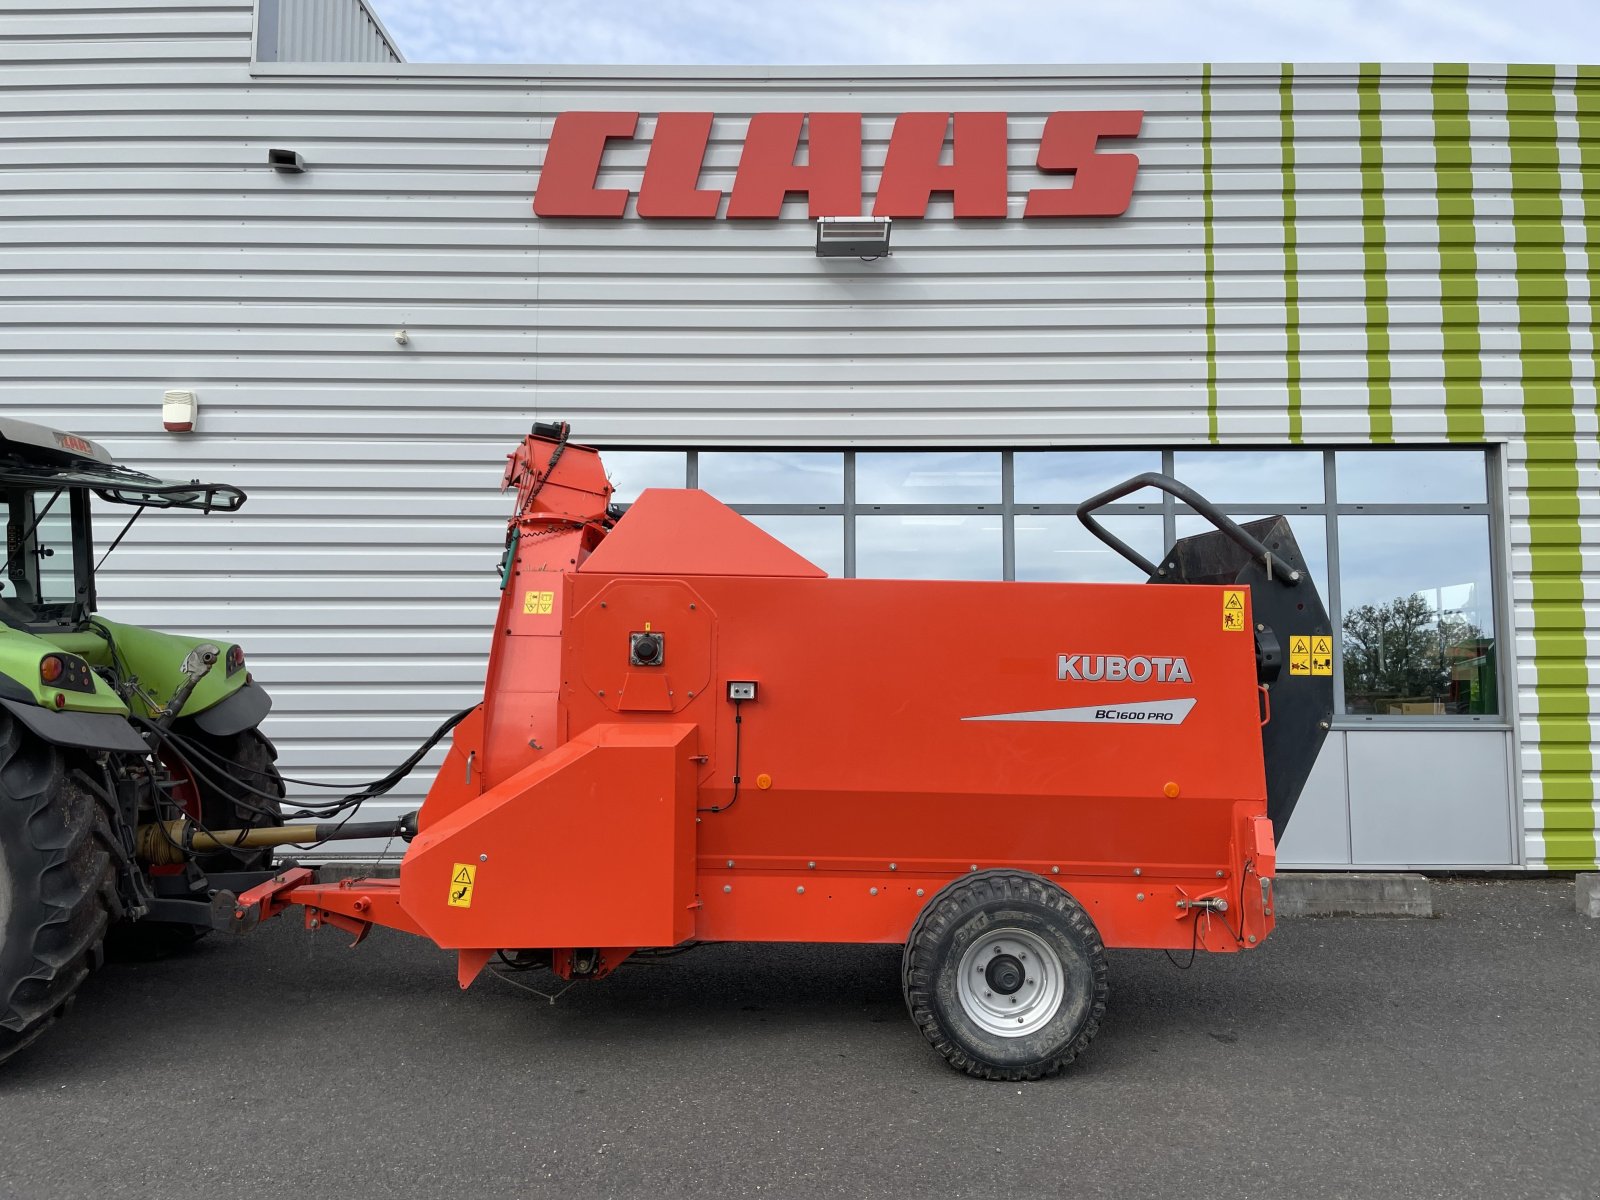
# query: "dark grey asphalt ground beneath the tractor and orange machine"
{"type": "Point", "coordinates": [1346, 1058]}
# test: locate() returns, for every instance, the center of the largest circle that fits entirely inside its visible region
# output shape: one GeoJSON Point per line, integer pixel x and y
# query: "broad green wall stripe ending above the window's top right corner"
{"type": "Point", "coordinates": [1458, 257]}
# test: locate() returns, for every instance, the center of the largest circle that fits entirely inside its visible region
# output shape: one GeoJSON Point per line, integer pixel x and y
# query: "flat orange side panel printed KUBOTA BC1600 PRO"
{"type": "Point", "coordinates": [922, 729]}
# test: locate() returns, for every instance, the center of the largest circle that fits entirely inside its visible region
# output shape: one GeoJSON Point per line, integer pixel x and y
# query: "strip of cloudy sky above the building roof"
{"type": "Point", "coordinates": [809, 33]}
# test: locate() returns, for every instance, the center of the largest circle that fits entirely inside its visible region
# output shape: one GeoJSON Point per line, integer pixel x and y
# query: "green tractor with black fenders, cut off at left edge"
{"type": "Point", "coordinates": [132, 766]}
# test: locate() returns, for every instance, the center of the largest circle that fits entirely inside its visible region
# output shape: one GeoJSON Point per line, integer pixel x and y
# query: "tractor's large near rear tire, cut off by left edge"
{"type": "Point", "coordinates": [58, 884]}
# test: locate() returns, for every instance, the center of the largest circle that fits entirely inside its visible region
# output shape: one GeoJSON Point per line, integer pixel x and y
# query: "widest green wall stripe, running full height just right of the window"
{"type": "Point", "coordinates": [1559, 628]}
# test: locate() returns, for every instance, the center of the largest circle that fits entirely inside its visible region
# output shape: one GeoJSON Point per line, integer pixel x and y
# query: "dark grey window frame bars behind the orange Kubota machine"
{"type": "Point", "coordinates": [1327, 511]}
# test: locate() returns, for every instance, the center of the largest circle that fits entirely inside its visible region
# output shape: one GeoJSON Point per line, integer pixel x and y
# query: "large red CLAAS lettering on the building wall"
{"type": "Point", "coordinates": [831, 178]}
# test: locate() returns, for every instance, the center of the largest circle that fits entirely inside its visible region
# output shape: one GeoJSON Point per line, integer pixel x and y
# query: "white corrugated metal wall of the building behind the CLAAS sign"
{"type": "Point", "coordinates": [148, 247]}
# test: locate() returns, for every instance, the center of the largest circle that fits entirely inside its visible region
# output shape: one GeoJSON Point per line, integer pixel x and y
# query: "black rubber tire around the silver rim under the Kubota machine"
{"type": "Point", "coordinates": [919, 966]}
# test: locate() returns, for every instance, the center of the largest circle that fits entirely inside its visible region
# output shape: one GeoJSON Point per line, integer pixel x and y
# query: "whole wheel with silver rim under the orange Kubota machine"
{"type": "Point", "coordinates": [1006, 975]}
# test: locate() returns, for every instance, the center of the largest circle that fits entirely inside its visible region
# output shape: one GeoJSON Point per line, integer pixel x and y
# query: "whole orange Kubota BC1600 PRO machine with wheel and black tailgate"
{"type": "Point", "coordinates": [692, 735]}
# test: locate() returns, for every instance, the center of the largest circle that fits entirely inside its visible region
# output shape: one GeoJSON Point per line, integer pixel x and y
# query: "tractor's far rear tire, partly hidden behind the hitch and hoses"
{"type": "Point", "coordinates": [225, 770]}
